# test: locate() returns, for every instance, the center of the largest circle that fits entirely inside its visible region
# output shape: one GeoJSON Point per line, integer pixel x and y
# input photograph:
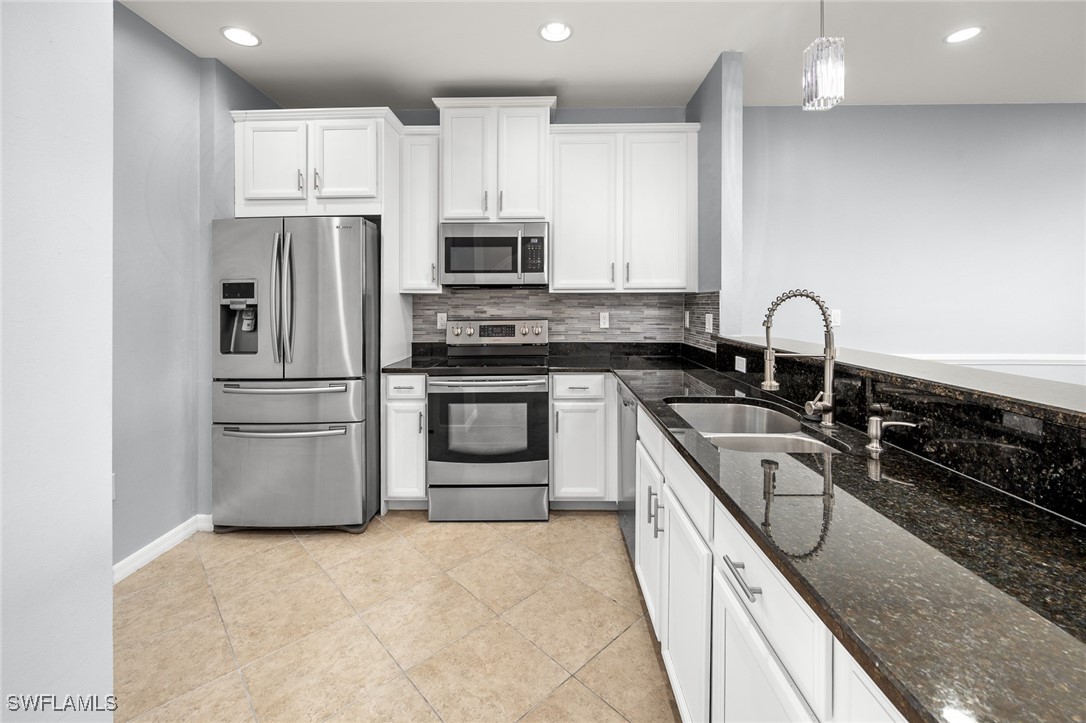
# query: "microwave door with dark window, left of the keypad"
{"type": "Point", "coordinates": [481, 255]}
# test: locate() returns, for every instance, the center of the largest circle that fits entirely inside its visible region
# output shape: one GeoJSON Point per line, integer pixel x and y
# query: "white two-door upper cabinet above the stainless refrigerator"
{"type": "Point", "coordinates": [318, 162]}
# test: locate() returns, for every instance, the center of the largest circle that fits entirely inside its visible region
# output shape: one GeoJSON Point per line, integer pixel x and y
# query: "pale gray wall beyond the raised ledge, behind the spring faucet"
{"type": "Point", "coordinates": [938, 231]}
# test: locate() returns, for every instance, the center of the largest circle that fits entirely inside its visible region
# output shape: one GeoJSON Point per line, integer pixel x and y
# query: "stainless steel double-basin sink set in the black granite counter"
{"type": "Point", "coordinates": [731, 424]}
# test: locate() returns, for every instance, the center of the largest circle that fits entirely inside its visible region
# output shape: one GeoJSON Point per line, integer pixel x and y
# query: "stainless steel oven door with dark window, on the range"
{"type": "Point", "coordinates": [488, 432]}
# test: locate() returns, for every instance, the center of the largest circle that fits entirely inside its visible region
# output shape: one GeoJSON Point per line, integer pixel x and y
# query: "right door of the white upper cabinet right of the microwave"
{"type": "Point", "coordinates": [655, 218]}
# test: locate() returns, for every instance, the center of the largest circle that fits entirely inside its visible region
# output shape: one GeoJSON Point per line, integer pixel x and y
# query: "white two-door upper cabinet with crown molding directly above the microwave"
{"type": "Point", "coordinates": [495, 158]}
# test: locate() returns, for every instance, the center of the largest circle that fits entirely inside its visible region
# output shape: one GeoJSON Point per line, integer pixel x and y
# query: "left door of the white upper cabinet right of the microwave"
{"type": "Point", "coordinates": [585, 233]}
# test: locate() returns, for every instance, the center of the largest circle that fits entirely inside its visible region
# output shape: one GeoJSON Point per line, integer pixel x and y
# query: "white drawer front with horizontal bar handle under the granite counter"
{"type": "Point", "coordinates": [798, 637]}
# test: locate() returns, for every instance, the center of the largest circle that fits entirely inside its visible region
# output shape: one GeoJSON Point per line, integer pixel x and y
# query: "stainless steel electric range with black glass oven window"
{"type": "Point", "coordinates": [490, 443]}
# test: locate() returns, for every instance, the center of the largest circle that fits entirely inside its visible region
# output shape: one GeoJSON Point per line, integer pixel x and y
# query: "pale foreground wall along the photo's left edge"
{"type": "Point", "coordinates": [58, 143]}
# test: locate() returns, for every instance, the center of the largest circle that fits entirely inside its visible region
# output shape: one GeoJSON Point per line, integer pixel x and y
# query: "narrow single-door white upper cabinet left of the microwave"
{"type": "Point", "coordinates": [420, 214]}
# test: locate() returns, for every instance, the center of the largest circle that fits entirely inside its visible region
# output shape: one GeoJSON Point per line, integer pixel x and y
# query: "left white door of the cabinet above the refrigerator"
{"type": "Point", "coordinates": [274, 164]}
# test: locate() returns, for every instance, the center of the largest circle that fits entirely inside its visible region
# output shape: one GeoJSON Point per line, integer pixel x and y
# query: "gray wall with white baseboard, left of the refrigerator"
{"type": "Point", "coordinates": [174, 173]}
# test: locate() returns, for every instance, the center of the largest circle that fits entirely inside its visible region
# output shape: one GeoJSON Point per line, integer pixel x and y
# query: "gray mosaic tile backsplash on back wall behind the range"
{"type": "Point", "coordinates": [572, 318]}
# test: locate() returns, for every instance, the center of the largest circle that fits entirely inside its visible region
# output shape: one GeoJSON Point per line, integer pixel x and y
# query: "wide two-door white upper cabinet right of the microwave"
{"type": "Point", "coordinates": [625, 208]}
